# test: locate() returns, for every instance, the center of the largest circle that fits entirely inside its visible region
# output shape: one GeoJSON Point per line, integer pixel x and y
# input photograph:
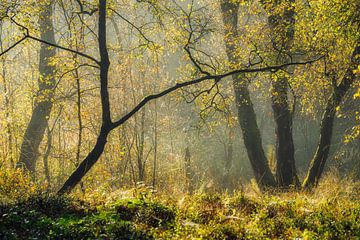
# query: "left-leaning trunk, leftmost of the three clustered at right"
{"type": "Point", "coordinates": [246, 113]}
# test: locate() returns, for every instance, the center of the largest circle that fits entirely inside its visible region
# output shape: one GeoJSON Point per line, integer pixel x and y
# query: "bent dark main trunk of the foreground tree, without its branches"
{"type": "Point", "coordinates": [106, 127]}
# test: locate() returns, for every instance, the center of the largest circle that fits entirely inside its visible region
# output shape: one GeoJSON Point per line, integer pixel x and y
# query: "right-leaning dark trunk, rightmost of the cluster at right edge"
{"type": "Point", "coordinates": [322, 152]}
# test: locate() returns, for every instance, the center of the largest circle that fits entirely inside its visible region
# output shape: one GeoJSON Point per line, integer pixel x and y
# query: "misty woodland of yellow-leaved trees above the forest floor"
{"type": "Point", "coordinates": [71, 71]}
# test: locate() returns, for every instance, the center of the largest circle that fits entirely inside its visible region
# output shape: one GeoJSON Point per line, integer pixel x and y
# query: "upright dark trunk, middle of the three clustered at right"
{"type": "Point", "coordinates": [282, 33]}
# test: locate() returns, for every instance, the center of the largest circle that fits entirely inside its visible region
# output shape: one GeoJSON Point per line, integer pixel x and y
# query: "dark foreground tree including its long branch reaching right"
{"type": "Point", "coordinates": [107, 124]}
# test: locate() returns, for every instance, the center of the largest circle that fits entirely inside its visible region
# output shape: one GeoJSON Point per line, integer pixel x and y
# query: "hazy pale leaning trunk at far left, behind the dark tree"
{"type": "Point", "coordinates": [43, 103]}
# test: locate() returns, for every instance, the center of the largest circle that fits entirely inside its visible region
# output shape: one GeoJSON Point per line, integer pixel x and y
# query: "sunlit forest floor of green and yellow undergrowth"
{"type": "Point", "coordinates": [330, 212]}
